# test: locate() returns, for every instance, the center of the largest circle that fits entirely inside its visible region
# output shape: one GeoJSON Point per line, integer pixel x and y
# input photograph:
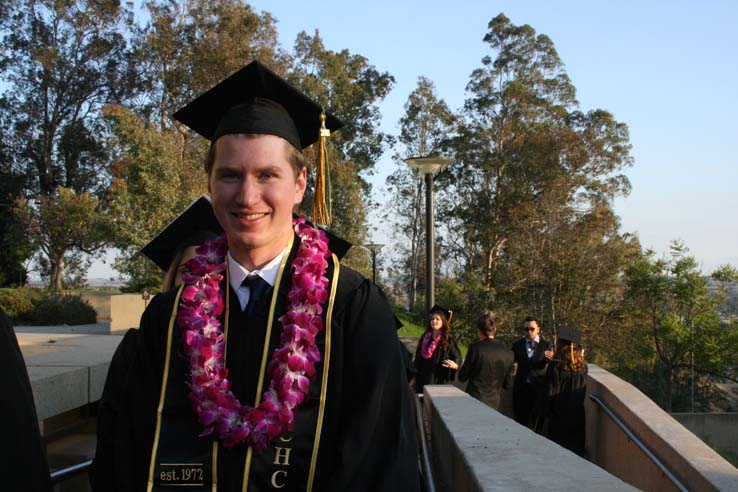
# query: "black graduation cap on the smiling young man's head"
{"type": "Point", "coordinates": [255, 100]}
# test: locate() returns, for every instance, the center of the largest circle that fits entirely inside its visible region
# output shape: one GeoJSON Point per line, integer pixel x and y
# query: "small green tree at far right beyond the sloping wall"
{"type": "Point", "coordinates": [678, 319]}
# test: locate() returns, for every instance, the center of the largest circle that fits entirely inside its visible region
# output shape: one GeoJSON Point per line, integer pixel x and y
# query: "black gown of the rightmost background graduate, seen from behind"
{"type": "Point", "coordinates": [564, 407]}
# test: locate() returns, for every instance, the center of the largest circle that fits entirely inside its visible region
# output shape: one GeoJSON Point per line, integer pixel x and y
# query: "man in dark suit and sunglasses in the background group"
{"type": "Point", "coordinates": [532, 354]}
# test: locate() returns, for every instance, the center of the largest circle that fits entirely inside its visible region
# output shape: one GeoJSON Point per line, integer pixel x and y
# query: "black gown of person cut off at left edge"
{"type": "Point", "coordinates": [23, 465]}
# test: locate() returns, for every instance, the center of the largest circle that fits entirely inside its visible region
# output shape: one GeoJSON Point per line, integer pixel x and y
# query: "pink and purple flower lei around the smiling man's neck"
{"type": "Point", "coordinates": [292, 365]}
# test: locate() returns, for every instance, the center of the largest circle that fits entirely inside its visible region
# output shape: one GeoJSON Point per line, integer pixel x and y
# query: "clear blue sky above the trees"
{"type": "Point", "coordinates": [668, 69]}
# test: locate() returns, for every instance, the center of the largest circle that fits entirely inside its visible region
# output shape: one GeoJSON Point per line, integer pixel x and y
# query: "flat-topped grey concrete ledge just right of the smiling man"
{"type": "Point", "coordinates": [476, 448]}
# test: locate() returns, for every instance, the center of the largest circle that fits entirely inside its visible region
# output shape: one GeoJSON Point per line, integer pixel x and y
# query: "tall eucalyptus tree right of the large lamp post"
{"type": "Point", "coordinates": [533, 184]}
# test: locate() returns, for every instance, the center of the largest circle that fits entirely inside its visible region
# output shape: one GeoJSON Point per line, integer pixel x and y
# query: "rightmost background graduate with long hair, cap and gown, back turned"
{"type": "Point", "coordinates": [565, 391]}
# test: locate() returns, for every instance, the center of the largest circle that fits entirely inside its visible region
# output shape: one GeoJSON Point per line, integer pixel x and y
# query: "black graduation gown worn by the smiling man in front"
{"type": "Point", "coordinates": [368, 441]}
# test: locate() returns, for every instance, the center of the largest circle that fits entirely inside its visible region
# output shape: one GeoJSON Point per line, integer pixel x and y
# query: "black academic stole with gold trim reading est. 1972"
{"type": "Point", "coordinates": [182, 460]}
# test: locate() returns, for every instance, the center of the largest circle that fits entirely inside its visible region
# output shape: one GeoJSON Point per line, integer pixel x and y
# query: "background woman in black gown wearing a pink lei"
{"type": "Point", "coordinates": [437, 357]}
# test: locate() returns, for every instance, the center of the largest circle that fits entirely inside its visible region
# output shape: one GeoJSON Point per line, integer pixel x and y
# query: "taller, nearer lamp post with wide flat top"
{"type": "Point", "coordinates": [429, 166]}
